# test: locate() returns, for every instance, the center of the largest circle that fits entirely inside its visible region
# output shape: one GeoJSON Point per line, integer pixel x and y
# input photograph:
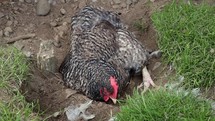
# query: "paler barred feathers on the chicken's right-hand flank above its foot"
{"type": "Point", "coordinates": [131, 53]}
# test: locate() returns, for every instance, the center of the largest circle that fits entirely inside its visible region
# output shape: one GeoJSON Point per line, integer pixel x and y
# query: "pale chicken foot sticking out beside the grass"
{"type": "Point", "coordinates": [147, 80]}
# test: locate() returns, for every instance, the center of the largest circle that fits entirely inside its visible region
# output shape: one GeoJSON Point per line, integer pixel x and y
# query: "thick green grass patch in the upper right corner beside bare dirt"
{"type": "Point", "coordinates": [186, 36]}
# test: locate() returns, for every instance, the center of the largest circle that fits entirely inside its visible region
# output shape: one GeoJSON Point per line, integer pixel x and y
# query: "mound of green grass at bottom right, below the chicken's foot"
{"type": "Point", "coordinates": [163, 105]}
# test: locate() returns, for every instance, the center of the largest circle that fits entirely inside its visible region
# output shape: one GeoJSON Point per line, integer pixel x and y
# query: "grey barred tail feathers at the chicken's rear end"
{"type": "Point", "coordinates": [89, 16]}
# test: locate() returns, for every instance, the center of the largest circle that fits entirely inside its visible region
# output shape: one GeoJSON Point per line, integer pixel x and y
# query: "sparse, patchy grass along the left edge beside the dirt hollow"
{"type": "Point", "coordinates": [13, 70]}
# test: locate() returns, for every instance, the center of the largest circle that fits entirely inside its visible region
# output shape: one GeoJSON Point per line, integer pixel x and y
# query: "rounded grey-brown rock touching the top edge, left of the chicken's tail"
{"type": "Point", "coordinates": [43, 7]}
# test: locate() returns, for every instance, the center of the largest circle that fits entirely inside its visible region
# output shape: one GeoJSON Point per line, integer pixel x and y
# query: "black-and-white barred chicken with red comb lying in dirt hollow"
{"type": "Point", "coordinates": [103, 55]}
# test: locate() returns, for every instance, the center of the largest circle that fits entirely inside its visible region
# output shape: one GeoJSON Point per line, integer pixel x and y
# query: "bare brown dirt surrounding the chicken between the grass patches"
{"type": "Point", "coordinates": [48, 90]}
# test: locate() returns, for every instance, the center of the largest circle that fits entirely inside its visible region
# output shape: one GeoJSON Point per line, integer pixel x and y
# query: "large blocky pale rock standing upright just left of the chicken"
{"type": "Point", "coordinates": [46, 60]}
